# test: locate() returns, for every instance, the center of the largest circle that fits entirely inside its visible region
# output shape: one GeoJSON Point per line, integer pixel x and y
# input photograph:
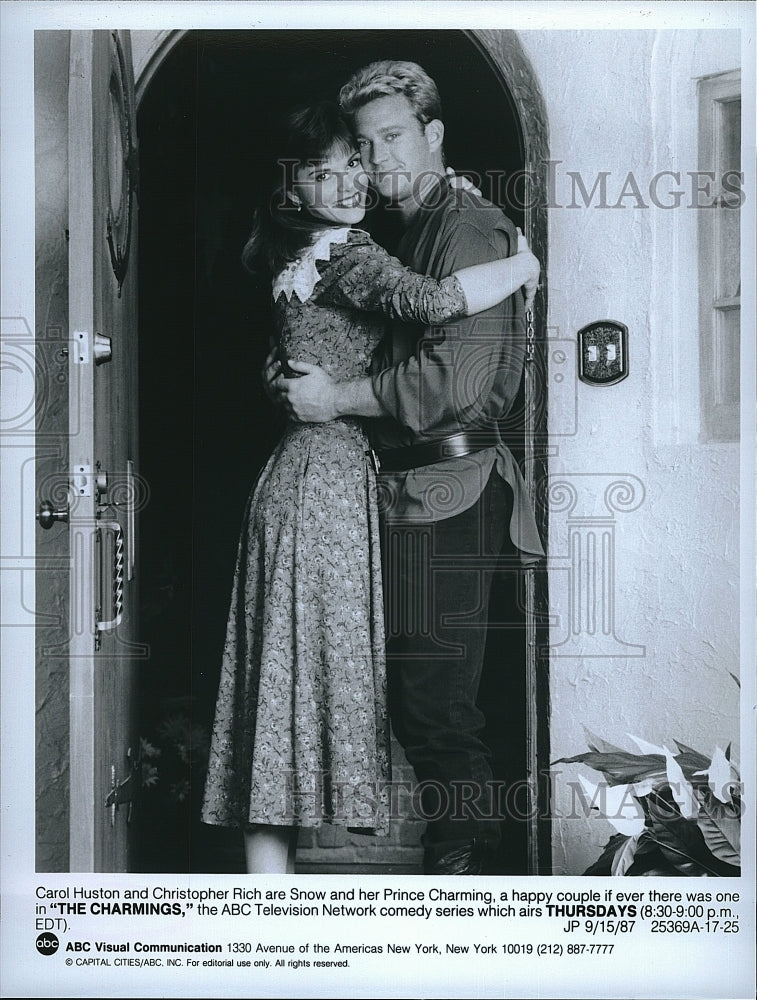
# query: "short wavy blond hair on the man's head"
{"type": "Point", "coordinates": [389, 77]}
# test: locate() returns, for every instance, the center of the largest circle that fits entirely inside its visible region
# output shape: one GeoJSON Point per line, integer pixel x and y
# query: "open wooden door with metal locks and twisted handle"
{"type": "Point", "coordinates": [105, 487]}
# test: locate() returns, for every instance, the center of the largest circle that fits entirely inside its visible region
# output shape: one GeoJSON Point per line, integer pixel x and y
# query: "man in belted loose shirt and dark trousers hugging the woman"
{"type": "Point", "coordinates": [453, 497]}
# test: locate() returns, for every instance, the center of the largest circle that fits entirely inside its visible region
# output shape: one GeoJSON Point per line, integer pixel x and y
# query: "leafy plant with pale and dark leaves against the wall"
{"type": "Point", "coordinates": [675, 814]}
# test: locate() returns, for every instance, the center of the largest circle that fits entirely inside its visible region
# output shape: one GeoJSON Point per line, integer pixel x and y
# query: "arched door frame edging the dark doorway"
{"type": "Point", "coordinates": [504, 54]}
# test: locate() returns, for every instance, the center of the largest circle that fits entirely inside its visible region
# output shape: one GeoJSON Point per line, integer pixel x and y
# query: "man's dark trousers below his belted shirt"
{"type": "Point", "coordinates": [437, 584]}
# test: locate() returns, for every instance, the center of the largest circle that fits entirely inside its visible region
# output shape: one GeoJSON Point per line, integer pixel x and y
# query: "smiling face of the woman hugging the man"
{"type": "Point", "coordinates": [334, 188]}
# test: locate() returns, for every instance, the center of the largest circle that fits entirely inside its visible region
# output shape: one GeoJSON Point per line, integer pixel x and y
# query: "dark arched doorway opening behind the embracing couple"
{"type": "Point", "coordinates": [206, 428]}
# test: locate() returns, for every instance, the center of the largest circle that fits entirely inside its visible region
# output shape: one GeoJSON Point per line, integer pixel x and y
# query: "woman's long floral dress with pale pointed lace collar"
{"type": "Point", "coordinates": [301, 733]}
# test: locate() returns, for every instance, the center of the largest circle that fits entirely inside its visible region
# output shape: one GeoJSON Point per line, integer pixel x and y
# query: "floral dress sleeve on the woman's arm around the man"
{"type": "Point", "coordinates": [362, 275]}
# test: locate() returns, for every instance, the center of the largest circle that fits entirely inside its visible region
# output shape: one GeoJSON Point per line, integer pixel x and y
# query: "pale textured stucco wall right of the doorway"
{"type": "Point", "coordinates": [619, 102]}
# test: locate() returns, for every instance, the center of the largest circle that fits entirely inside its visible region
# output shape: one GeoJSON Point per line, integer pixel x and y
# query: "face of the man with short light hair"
{"type": "Point", "coordinates": [394, 147]}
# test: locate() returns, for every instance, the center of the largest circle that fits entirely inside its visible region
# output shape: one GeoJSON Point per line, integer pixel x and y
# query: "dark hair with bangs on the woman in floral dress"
{"type": "Point", "coordinates": [280, 231]}
